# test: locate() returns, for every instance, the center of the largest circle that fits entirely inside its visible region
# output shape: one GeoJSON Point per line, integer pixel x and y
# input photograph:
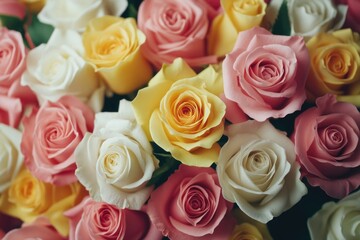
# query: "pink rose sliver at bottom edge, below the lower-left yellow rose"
{"type": "Point", "coordinates": [39, 229]}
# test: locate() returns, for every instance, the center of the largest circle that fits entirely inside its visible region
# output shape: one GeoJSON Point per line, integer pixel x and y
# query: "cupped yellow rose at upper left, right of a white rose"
{"type": "Point", "coordinates": [112, 47]}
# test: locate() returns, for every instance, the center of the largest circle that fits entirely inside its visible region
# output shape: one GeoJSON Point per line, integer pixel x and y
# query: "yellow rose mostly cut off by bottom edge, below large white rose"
{"type": "Point", "coordinates": [248, 228]}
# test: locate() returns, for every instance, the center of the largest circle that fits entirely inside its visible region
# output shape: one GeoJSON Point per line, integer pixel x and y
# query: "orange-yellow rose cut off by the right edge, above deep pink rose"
{"type": "Point", "coordinates": [335, 66]}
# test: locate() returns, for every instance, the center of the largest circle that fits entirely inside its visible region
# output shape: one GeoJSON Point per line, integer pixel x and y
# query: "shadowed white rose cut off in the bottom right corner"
{"type": "Point", "coordinates": [337, 221]}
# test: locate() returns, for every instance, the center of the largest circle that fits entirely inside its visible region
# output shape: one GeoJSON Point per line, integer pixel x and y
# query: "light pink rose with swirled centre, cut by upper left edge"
{"type": "Point", "coordinates": [12, 58]}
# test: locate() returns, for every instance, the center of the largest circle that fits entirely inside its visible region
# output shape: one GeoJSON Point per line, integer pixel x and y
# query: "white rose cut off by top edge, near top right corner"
{"type": "Point", "coordinates": [309, 17]}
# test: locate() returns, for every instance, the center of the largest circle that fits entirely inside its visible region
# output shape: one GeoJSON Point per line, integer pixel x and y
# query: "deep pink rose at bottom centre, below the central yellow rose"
{"type": "Point", "coordinates": [190, 205]}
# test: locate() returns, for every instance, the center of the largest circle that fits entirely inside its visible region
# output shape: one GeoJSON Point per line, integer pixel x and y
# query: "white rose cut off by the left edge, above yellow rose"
{"type": "Point", "coordinates": [11, 159]}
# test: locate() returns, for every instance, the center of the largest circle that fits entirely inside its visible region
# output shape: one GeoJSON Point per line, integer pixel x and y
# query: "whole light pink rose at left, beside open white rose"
{"type": "Point", "coordinates": [50, 137]}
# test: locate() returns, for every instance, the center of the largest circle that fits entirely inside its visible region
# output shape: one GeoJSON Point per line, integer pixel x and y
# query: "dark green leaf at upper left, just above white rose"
{"type": "Point", "coordinates": [39, 32]}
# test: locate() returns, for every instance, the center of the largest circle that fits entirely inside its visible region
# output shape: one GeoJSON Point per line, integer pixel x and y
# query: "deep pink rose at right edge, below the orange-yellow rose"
{"type": "Point", "coordinates": [327, 146]}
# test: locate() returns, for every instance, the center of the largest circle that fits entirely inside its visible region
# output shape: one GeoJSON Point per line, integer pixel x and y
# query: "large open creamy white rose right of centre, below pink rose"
{"type": "Point", "coordinates": [257, 170]}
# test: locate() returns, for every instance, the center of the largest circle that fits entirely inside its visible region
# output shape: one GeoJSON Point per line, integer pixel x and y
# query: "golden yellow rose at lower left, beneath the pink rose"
{"type": "Point", "coordinates": [27, 198]}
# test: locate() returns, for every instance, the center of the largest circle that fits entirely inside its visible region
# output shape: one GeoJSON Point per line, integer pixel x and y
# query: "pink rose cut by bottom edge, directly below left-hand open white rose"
{"type": "Point", "coordinates": [100, 220]}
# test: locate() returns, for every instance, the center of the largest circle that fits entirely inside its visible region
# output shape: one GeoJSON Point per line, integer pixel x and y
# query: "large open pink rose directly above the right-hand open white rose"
{"type": "Point", "coordinates": [265, 74]}
